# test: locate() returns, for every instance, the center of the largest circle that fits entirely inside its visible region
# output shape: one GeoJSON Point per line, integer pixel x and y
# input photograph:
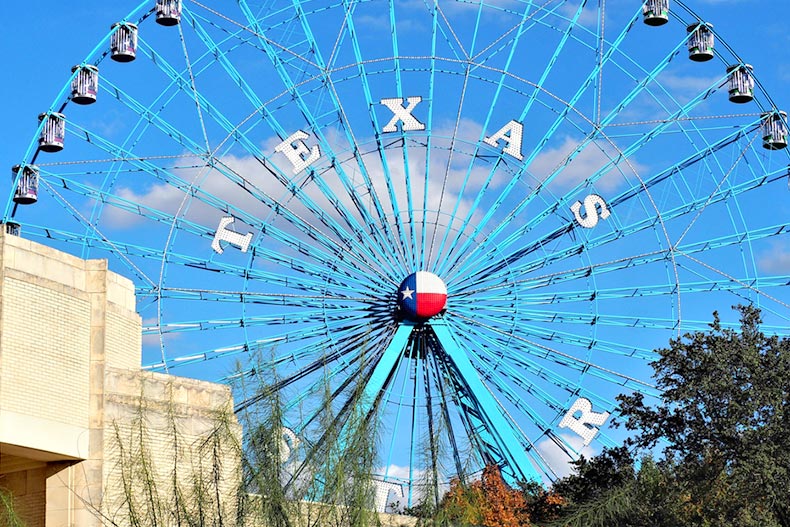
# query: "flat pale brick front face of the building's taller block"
{"type": "Point", "coordinates": [44, 329]}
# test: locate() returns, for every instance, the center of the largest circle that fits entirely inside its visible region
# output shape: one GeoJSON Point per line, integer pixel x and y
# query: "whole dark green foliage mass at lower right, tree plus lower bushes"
{"type": "Point", "coordinates": [723, 424]}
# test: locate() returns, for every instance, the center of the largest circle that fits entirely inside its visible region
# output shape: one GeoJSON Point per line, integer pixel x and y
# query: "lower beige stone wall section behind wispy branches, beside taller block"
{"type": "Point", "coordinates": [171, 438]}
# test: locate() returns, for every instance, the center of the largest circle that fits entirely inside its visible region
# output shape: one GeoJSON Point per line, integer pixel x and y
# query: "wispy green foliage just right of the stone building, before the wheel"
{"type": "Point", "coordinates": [323, 480]}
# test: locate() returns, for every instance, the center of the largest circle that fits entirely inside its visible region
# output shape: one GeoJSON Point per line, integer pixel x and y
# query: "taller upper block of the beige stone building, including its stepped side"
{"type": "Point", "coordinates": [56, 314]}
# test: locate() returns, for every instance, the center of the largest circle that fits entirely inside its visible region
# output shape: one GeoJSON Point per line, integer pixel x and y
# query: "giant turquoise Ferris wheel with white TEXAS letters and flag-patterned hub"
{"type": "Point", "coordinates": [483, 216]}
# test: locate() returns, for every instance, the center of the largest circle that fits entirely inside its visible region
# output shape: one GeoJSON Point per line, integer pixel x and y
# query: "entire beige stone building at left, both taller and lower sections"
{"type": "Point", "coordinates": [83, 431]}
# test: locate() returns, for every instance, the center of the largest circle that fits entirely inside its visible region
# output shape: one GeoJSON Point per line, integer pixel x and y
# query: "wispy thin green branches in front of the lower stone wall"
{"type": "Point", "coordinates": [185, 490]}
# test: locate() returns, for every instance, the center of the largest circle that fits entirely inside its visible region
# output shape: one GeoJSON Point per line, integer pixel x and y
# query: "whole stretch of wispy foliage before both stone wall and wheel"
{"type": "Point", "coordinates": [168, 478]}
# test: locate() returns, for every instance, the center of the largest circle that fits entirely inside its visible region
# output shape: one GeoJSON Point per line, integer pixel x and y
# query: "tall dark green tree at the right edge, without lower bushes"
{"type": "Point", "coordinates": [724, 420]}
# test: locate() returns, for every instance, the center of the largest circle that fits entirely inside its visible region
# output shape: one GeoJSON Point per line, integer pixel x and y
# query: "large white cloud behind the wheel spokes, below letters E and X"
{"type": "Point", "coordinates": [451, 188]}
